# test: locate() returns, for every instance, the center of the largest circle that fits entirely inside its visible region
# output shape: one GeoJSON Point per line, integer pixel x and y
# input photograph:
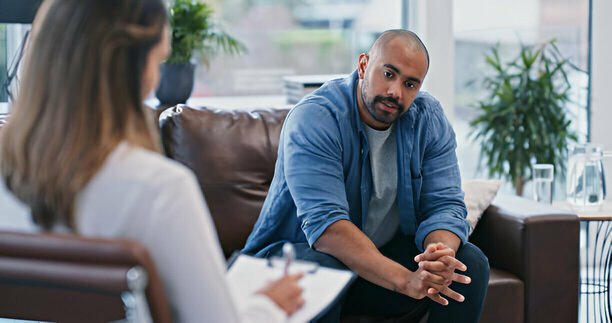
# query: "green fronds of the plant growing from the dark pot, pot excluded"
{"type": "Point", "coordinates": [195, 33]}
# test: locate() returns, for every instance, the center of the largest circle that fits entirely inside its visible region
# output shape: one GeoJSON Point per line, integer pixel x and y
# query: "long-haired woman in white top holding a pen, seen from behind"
{"type": "Point", "coordinates": [79, 154]}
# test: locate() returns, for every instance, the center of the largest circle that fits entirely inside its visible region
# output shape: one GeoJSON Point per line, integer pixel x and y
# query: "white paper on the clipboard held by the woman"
{"type": "Point", "coordinates": [321, 285]}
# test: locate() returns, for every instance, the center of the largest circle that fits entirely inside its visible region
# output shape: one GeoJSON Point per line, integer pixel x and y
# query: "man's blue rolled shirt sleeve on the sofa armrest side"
{"type": "Point", "coordinates": [441, 201]}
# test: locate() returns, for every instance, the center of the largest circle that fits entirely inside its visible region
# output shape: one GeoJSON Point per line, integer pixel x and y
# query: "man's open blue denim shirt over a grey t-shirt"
{"type": "Point", "coordinates": [323, 171]}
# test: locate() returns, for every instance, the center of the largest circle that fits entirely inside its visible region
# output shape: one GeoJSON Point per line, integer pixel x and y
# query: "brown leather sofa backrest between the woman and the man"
{"type": "Point", "coordinates": [233, 154]}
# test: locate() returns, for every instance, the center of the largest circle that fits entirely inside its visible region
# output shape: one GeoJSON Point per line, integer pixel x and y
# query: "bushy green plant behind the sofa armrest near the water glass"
{"type": "Point", "coordinates": [524, 119]}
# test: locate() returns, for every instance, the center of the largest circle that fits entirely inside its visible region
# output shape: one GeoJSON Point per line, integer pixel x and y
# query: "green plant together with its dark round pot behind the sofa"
{"type": "Point", "coordinates": [194, 35]}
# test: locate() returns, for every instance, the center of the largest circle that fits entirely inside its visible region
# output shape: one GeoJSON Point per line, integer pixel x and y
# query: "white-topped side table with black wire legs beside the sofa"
{"type": "Point", "coordinates": [595, 263]}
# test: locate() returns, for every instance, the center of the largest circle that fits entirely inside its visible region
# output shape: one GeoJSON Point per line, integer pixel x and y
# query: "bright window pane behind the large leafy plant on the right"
{"type": "Point", "coordinates": [510, 23]}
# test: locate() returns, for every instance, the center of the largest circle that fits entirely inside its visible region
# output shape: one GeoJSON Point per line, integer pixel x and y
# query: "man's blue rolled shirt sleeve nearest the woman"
{"type": "Point", "coordinates": [313, 168]}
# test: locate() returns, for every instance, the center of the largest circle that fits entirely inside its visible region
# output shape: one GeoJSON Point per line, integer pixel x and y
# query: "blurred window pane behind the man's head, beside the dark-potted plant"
{"type": "Point", "coordinates": [293, 37]}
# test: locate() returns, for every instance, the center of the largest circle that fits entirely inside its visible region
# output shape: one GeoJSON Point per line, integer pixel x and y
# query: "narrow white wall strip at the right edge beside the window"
{"type": "Point", "coordinates": [601, 96]}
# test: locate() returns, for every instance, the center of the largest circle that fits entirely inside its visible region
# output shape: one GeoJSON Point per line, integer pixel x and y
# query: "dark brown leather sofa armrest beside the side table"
{"type": "Point", "coordinates": [540, 245]}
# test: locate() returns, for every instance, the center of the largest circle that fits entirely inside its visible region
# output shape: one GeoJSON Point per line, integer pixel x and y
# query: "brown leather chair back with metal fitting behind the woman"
{"type": "Point", "coordinates": [69, 278]}
